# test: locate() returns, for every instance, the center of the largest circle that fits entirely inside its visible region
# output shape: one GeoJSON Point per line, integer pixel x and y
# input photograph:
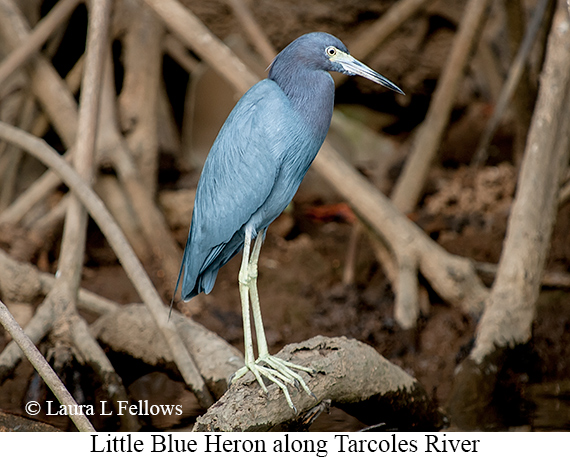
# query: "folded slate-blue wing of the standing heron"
{"type": "Point", "coordinates": [238, 176]}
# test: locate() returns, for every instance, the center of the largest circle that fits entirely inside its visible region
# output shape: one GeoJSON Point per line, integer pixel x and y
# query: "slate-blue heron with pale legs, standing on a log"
{"type": "Point", "coordinates": [252, 172]}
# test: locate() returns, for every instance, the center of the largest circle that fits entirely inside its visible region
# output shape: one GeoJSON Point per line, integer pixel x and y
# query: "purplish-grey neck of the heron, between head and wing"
{"type": "Point", "coordinates": [311, 93]}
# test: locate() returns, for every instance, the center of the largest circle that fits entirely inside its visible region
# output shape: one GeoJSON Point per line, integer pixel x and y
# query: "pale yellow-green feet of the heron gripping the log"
{"type": "Point", "coordinates": [277, 371]}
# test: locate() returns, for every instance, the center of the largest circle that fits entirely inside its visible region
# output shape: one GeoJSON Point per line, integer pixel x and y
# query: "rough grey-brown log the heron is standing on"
{"type": "Point", "coordinates": [389, 394]}
